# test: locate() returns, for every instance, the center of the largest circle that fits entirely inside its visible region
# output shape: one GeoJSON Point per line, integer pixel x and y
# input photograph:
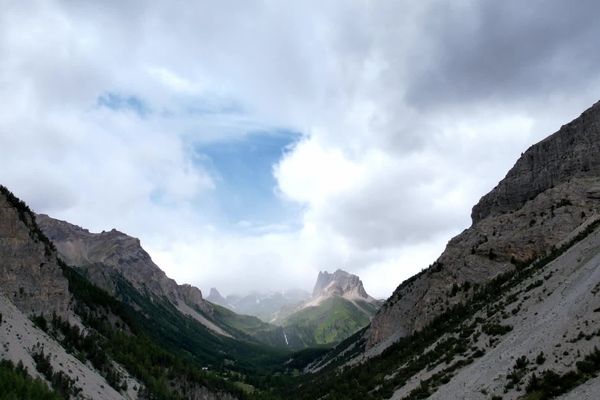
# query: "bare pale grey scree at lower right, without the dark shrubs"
{"type": "Point", "coordinates": [559, 317]}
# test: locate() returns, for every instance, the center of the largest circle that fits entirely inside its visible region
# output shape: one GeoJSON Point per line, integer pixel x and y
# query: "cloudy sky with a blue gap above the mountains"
{"type": "Point", "coordinates": [252, 144]}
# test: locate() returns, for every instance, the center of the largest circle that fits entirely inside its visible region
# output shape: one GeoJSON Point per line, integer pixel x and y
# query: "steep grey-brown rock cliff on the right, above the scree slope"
{"type": "Point", "coordinates": [552, 190]}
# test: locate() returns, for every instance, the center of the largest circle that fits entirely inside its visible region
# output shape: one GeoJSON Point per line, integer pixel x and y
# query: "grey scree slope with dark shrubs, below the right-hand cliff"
{"type": "Point", "coordinates": [531, 333]}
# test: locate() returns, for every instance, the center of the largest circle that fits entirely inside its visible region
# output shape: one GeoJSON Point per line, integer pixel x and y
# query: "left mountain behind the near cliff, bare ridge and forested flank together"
{"type": "Point", "coordinates": [118, 264]}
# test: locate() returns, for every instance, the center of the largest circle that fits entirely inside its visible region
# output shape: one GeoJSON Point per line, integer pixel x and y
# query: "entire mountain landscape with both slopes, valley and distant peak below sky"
{"type": "Point", "coordinates": [509, 310]}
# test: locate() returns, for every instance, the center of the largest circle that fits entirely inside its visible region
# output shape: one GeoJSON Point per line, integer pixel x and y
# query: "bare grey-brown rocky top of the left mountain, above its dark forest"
{"type": "Point", "coordinates": [106, 253]}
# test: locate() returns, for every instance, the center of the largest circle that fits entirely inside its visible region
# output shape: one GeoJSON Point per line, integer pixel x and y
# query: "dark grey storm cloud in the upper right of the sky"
{"type": "Point", "coordinates": [505, 50]}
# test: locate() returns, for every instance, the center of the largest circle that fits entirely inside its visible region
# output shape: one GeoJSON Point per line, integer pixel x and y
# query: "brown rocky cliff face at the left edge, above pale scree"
{"type": "Point", "coordinates": [29, 272]}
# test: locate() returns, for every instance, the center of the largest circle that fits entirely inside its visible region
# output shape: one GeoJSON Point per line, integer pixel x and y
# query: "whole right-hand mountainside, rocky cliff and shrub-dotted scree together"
{"type": "Point", "coordinates": [509, 310]}
